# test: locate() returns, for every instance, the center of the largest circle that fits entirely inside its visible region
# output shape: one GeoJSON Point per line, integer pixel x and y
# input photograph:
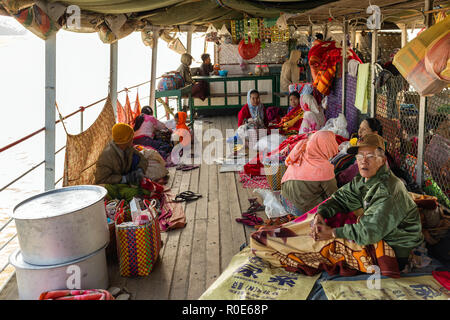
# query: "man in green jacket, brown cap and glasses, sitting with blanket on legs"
{"type": "Point", "coordinates": [390, 214]}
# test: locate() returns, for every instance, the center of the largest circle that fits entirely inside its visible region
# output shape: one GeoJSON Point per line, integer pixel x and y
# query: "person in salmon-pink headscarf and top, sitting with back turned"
{"type": "Point", "coordinates": [309, 178]}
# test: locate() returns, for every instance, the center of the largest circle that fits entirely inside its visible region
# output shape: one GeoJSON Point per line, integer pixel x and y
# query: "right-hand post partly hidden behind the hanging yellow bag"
{"type": "Point", "coordinates": [422, 109]}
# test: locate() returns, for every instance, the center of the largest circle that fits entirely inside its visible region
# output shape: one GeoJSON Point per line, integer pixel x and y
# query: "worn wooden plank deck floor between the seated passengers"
{"type": "Point", "coordinates": [192, 258]}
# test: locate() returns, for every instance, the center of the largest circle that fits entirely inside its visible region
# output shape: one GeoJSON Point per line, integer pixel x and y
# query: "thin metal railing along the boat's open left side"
{"type": "Point", "coordinates": [21, 176]}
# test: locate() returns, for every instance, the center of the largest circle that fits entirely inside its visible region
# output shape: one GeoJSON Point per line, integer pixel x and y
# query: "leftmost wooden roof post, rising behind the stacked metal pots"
{"type": "Point", "coordinates": [50, 112]}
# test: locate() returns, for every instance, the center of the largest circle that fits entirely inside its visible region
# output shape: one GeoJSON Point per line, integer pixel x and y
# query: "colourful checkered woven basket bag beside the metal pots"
{"type": "Point", "coordinates": [138, 246]}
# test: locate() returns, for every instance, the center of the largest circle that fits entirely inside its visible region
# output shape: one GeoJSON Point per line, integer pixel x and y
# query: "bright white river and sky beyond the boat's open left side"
{"type": "Point", "coordinates": [82, 76]}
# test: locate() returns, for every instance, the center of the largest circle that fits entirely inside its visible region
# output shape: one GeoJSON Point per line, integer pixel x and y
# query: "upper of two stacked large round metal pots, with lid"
{"type": "Point", "coordinates": [61, 225]}
